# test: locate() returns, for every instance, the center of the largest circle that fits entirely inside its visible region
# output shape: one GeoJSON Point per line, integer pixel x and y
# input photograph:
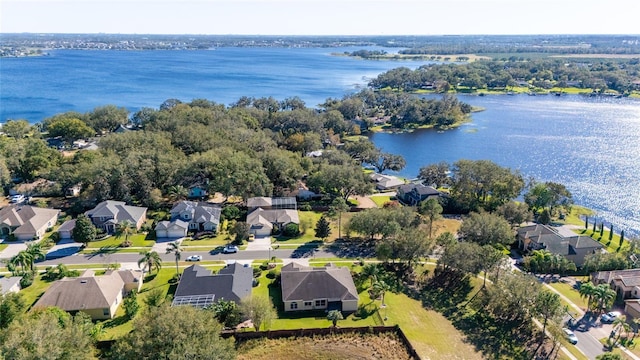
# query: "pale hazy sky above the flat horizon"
{"type": "Point", "coordinates": [316, 17]}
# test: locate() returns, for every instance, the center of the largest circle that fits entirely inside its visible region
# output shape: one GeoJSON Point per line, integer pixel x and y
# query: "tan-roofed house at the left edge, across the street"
{"type": "Point", "coordinates": [27, 222]}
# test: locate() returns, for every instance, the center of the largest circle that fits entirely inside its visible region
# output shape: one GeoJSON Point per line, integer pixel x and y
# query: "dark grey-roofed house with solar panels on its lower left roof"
{"type": "Point", "coordinates": [199, 287]}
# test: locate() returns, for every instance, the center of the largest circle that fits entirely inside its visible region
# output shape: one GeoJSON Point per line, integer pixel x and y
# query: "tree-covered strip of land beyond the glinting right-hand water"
{"type": "Point", "coordinates": [618, 75]}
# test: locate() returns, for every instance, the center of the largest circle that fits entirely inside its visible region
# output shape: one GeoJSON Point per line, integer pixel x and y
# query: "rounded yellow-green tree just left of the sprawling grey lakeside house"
{"type": "Point", "coordinates": [485, 228]}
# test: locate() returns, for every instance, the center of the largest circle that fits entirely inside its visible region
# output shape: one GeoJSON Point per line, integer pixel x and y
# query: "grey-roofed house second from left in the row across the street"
{"type": "Point", "coordinates": [108, 214]}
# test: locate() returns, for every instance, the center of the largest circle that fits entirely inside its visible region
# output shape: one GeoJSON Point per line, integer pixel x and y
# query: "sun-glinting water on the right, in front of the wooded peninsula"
{"type": "Point", "coordinates": [592, 145]}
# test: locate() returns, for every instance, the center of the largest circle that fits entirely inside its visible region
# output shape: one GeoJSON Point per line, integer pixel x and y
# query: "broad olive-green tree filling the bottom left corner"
{"type": "Point", "coordinates": [59, 336]}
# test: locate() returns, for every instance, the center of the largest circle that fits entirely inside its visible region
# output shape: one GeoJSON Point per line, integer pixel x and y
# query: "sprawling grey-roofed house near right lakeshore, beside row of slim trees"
{"type": "Point", "coordinates": [574, 248]}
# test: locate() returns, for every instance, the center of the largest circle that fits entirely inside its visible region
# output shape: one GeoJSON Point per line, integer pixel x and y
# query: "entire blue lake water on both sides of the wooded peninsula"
{"type": "Point", "coordinates": [592, 145]}
